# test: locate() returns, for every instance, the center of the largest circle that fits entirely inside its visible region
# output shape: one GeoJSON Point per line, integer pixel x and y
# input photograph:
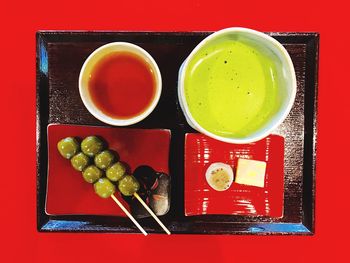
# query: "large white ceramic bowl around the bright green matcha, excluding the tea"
{"type": "Point", "coordinates": [288, 78]}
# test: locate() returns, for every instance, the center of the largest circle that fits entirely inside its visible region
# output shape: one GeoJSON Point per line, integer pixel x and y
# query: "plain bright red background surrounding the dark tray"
{"type": "Point", "coordinates": [20, 21]}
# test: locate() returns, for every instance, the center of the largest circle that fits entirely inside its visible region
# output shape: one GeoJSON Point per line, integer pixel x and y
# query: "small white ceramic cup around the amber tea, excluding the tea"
{"type": "Point", "coordinates": [88, 66]}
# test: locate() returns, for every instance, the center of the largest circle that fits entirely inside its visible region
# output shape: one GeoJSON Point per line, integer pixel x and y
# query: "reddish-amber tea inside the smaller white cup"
{"type": "Point", "coordinates": [122, 85]}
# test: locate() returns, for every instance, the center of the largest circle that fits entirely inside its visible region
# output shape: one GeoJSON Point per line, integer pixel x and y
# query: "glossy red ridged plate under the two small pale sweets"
{"type": "Point", "coordinates": [200, 198]}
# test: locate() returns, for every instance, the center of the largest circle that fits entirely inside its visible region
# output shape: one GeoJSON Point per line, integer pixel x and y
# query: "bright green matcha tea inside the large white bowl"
{"type": "Point", "coordinates": [231, 87]}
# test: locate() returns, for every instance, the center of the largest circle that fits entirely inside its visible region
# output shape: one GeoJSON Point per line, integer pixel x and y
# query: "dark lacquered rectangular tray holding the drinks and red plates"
{"type": "Point", "coordinates": [60, 56]}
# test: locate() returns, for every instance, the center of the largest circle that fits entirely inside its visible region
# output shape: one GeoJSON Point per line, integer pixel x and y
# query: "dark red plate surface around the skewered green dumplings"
{"type": "Point", "coordinates": [68, 193]}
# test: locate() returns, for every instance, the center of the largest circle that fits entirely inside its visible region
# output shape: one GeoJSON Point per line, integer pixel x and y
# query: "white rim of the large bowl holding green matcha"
{"type": "Point", "coordinates": [270, 128]}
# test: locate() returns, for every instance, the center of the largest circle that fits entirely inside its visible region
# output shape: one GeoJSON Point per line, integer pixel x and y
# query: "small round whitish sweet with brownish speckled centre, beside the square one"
{"type": "Point", "coordinates": [219, 176]}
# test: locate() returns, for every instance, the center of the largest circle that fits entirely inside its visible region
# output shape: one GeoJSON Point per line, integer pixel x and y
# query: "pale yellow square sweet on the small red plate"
{"type": "Point", "coordinates": [251, 172]}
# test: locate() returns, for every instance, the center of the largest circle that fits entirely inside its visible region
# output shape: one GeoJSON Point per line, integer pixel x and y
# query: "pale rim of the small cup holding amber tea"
{"type": "Point", "coordinates": [94, 110]}
